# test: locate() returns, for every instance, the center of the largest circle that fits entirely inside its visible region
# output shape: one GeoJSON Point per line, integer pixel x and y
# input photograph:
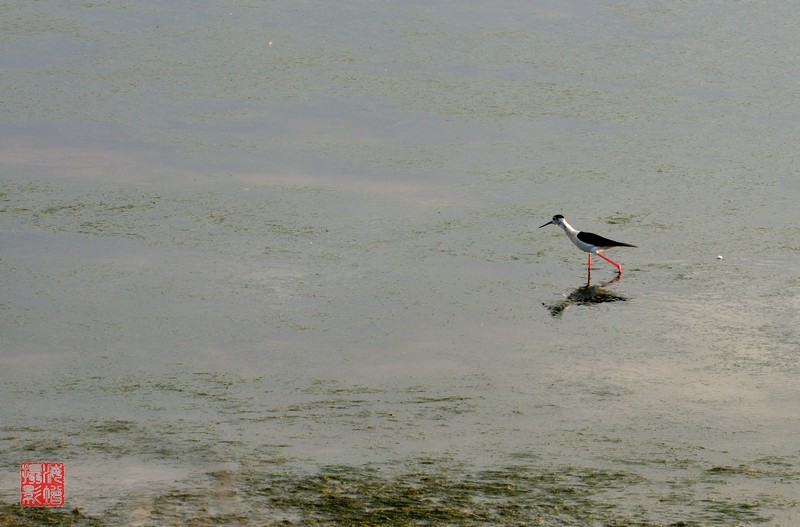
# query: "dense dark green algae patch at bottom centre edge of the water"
{"type": "Point", "coordinates": [368, 497]}
